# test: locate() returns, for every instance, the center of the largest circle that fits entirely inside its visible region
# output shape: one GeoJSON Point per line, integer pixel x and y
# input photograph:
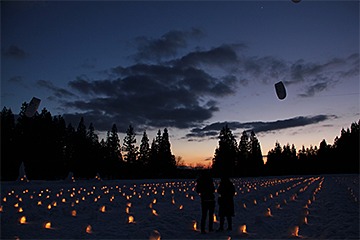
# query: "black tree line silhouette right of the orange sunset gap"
{"type": "Point", "coordinates": [245, 159]}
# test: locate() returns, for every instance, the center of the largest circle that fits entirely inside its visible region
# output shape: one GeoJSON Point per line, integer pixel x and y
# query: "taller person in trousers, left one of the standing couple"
{"type": "Point", "coordinates": [205, 187]}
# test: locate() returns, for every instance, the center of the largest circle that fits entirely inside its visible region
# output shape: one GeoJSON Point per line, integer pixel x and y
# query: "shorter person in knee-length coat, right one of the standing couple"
{"type": "Point", "coordinates": [226, 202]}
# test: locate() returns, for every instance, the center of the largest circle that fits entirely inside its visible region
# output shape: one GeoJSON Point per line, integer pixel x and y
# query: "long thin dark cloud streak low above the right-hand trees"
{"type": "Point", "coordinates": [258, 127]}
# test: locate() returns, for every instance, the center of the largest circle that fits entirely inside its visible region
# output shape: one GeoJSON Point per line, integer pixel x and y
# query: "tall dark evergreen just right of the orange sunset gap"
{"type": "Point", "coordinates": [225, 153]}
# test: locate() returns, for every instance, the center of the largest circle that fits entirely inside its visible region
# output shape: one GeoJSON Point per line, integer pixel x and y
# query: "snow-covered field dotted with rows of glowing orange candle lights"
{"type": "Point", "coordinates": [324, 206]}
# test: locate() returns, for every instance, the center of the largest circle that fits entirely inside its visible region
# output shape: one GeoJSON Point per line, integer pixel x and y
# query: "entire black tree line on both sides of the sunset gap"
{"type": "Point", "coordinates": [50, 149]}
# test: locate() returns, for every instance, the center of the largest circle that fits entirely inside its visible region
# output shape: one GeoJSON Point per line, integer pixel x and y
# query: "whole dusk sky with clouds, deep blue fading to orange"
{"type": "Point", "coordinates": [191, 67]}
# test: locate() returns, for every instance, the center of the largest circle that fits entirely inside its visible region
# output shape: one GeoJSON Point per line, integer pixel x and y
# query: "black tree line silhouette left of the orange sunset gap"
{"type": "Point", "coordinates": [50, 149]}
